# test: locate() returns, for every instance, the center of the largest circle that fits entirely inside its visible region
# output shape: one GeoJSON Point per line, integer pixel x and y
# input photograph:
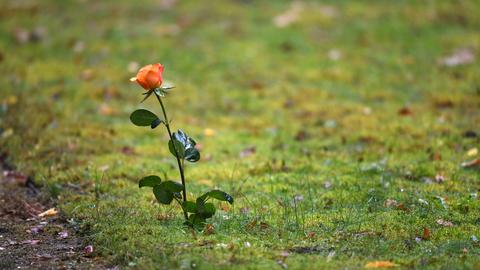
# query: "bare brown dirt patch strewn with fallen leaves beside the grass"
{"type": "Point", "coordinates": [30, 241]}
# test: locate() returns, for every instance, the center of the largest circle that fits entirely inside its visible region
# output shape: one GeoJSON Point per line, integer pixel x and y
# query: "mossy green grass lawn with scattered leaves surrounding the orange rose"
{"type": "Point", "coordinates": [340, 135]}
